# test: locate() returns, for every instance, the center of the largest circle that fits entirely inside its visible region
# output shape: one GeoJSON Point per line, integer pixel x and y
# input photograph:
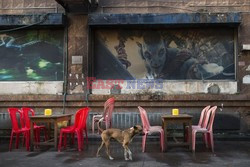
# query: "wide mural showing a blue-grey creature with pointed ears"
{"type": "Point", "coordinates": [182, 54]}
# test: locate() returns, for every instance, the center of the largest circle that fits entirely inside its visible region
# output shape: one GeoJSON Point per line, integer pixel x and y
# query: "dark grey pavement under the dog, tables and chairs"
{"type": "Point", "coordinates": [227, 153]}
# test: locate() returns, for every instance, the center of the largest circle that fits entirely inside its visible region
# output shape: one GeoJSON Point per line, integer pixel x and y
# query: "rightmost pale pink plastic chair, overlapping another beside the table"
{"type": "Point", "coordinates": [206, 128]}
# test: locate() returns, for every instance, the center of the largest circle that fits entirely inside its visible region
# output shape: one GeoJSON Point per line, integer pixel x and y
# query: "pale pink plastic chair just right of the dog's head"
{"type": "Point", "coordinates": [147, 129]}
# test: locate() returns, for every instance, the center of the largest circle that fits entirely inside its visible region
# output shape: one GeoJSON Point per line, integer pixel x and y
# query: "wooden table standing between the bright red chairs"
{"type": "Point", "coordinates": [52, 119]}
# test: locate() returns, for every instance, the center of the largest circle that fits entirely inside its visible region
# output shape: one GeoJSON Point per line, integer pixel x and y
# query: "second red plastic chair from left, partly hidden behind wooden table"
{"type": "Point", "coordinates": [37, 128]}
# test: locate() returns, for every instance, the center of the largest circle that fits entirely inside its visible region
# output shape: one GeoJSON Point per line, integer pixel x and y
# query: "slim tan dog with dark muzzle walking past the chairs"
{"type": "Point", "coordinates": [124, 137]}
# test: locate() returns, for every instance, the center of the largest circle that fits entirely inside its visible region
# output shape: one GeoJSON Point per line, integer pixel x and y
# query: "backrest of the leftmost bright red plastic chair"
{"type": "Point", "coordinates": [14, 120]}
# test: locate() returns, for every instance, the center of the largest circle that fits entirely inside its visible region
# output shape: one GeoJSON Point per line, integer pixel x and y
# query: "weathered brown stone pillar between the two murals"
{"type": "Point", "coordinates": [77, 46]}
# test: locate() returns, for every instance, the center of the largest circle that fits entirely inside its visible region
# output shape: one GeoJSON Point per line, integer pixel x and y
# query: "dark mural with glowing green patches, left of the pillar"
{"type": "Point", "coordinates": [32, 55]}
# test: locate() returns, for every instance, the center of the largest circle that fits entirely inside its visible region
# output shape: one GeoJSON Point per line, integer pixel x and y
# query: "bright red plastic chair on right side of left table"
{"type": "Point", "coordinates": [78, 128]}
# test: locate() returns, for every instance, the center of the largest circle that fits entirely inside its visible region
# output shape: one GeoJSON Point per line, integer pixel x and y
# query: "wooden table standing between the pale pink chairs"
{"type": "Point", "coordinates": [178, 119]}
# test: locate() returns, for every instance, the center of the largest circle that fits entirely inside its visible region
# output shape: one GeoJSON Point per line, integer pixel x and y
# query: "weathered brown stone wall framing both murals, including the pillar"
{"type": "Point", "coordinates": [237, 104]}
